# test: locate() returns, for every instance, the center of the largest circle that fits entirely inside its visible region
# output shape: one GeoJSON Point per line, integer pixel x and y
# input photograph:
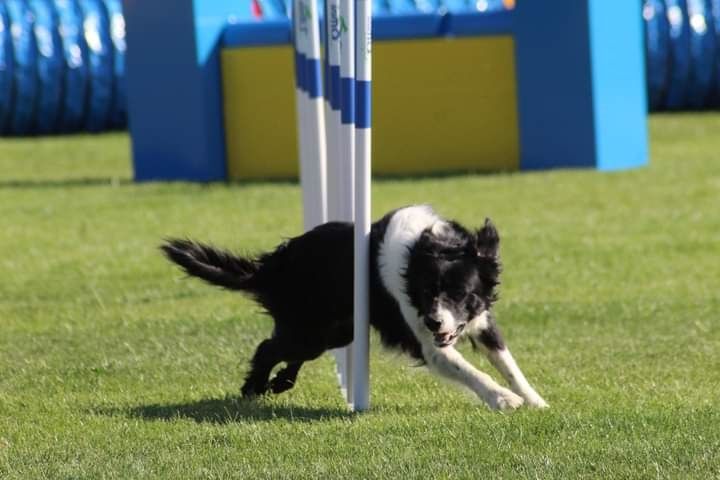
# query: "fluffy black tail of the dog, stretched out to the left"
{"type": "Point", "coordinates": [217, 267]}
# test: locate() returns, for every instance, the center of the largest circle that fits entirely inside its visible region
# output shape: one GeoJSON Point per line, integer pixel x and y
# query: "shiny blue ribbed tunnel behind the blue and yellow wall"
{"type": "Point", "coordinates": [62, 63]}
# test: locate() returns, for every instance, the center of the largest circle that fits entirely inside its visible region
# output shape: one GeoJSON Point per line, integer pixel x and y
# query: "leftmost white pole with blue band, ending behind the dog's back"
{"type": "Point", "coordinates": [311, 123]}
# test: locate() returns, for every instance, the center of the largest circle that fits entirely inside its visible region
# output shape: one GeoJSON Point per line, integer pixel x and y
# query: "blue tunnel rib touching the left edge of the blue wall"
{"type": "Point", "coordinates": [118, 110]}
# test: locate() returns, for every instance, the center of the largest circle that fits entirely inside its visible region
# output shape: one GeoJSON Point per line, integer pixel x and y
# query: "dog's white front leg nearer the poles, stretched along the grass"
{"type": "Point", "coordinates": [449, 363]}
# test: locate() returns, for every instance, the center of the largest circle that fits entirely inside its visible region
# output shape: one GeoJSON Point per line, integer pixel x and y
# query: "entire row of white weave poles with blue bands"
{"type": "Point", "coordinates": [335, 152]}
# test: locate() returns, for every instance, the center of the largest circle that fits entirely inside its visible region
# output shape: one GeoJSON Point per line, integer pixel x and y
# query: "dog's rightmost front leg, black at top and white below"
{"type": "Point", "coordinates": [485, 335]}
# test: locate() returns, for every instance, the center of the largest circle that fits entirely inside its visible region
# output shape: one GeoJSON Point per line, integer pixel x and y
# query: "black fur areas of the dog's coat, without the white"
{"type": "Point", "coordinates": [306, 286]}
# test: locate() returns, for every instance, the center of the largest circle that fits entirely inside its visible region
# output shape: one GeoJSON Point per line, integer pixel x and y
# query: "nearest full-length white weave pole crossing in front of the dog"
{"type": "Point", "coordinates": [363, 160]}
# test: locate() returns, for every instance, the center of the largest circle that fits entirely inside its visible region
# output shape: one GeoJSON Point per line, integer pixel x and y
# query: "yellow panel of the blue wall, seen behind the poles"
{"type": "Point", "coordinates": [439, 105]}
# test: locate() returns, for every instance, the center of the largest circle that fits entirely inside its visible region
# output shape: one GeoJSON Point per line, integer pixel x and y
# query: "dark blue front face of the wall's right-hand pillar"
{"type": "Point", "coordinates": [556, 118]}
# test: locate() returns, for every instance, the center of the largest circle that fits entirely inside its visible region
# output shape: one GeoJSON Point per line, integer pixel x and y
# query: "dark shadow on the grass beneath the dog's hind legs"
{"type": "Point", "coordinates": [232, 410]}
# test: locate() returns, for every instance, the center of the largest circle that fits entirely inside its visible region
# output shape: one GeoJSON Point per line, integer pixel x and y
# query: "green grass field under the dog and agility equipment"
{"type": "Point", "coordinates": [114, 366]}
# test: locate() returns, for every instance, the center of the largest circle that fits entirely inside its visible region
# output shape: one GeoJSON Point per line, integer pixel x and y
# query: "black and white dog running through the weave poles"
{"type": "Point", "coordinates": [431, 282]}
